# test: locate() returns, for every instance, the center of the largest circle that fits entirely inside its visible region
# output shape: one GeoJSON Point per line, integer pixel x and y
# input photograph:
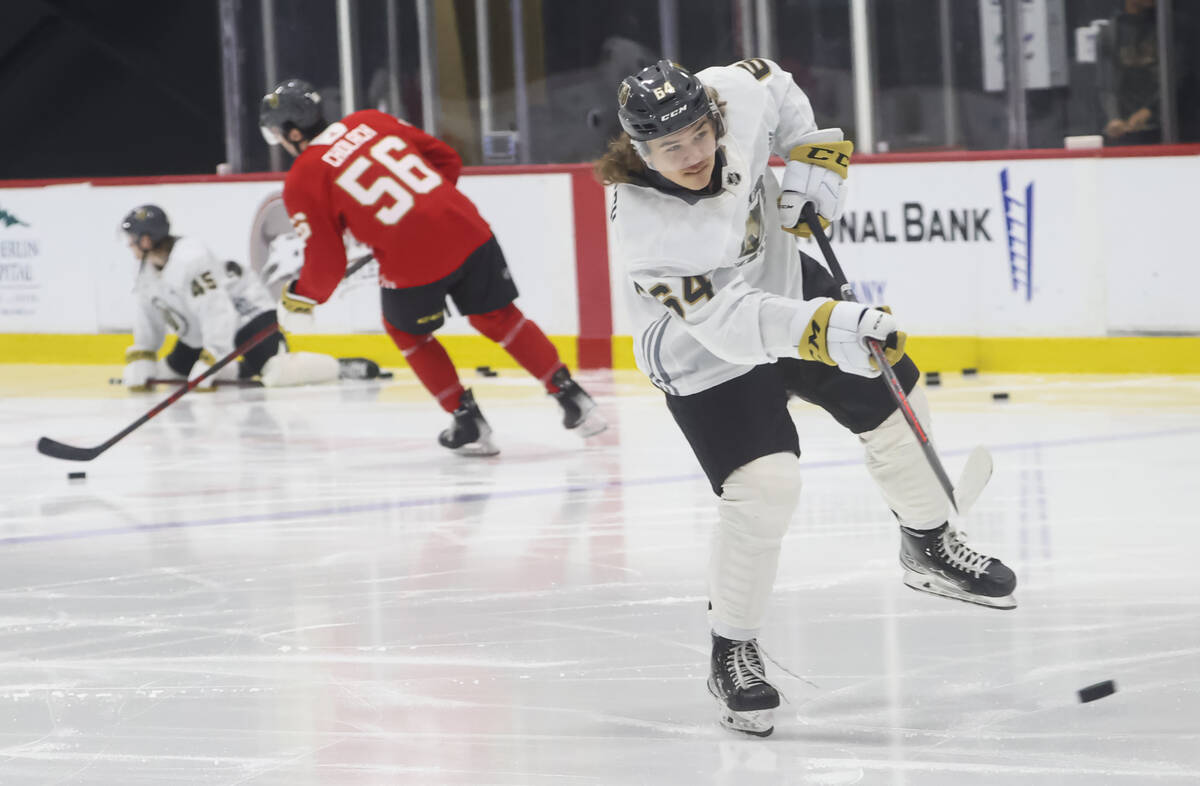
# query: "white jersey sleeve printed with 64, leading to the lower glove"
{"type": "Point", "coordinates": [721, 310]}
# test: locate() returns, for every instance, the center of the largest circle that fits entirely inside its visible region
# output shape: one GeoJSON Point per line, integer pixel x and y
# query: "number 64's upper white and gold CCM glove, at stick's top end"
{"type": "Point", "coordinates": [817, 172]}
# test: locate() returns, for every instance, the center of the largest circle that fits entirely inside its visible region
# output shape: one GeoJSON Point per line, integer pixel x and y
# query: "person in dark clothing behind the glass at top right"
{"type": "Point", "coordinates": [1130, 81]}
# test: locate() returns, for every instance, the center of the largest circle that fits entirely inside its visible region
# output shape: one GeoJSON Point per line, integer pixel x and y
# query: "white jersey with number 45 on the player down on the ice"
{"type": "Point", "coordinates": [202, 301]}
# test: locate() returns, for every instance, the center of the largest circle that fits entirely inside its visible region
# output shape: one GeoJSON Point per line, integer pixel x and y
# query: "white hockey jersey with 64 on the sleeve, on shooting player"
{"type": "Point", "coordinates": [715, 284]}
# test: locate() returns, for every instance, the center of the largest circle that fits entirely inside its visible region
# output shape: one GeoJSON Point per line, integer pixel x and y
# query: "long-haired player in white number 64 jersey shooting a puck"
{"type": "Point", "coordinates": [731, 321]}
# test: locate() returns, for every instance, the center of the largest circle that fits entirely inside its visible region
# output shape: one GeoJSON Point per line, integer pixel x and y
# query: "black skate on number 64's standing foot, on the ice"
{"type": "Point", "coordinates": [748, 701]}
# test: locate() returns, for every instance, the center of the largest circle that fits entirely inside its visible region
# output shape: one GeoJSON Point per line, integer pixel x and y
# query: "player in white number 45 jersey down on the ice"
{"type": "Point", "coordinates": [212, 307]}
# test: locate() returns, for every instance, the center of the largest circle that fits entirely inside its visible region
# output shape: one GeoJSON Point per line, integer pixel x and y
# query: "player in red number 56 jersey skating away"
{"type": "Point", "coordinates": [393, 187]}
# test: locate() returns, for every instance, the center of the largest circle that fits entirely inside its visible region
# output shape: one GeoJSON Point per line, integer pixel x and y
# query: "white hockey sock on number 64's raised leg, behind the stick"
{"type": "Point", "coordinates": [901, 470]}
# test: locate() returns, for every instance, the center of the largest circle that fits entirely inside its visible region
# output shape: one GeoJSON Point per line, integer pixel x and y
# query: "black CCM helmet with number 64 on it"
{"type": "Point", "coordinates": [664, 99]}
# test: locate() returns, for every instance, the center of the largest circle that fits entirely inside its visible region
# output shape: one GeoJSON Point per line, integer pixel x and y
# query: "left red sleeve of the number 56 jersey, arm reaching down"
{"type": "Point", "coordinates": [316, 225]}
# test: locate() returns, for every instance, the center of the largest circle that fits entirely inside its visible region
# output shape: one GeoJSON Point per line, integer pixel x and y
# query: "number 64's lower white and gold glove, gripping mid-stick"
{"type": "Point", "coordinates": [838, 332]}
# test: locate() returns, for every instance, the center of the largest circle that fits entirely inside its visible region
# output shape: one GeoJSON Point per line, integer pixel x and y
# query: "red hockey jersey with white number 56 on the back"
{"type": "Point", "coordinates": [393, 187]}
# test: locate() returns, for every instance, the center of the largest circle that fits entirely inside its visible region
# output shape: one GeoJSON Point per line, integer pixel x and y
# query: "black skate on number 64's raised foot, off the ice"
{"type": "Point", "coordinates": [939, 562]}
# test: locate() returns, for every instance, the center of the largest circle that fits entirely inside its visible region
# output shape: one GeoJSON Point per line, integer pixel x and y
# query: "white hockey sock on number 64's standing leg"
{"type": "Point", "coordinates": [754, 513]}
